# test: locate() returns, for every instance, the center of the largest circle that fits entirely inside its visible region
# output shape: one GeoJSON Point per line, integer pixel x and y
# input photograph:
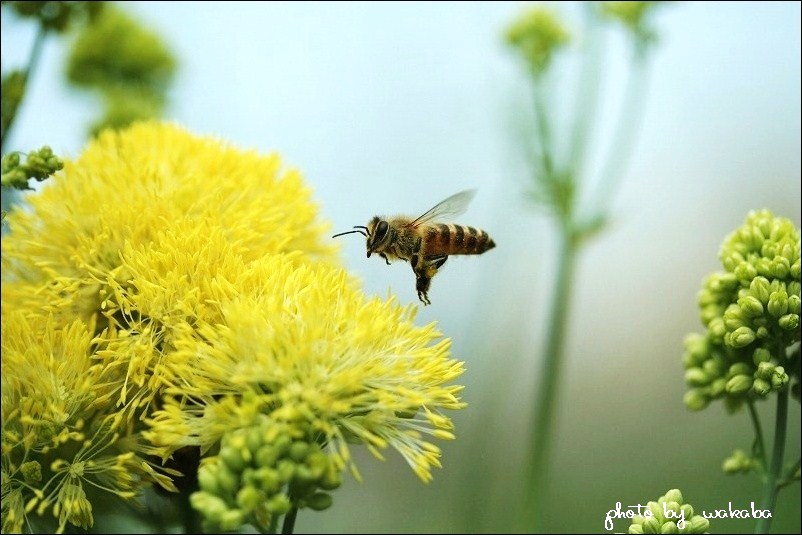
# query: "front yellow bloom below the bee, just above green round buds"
{"type": "Point", "coordinates": [307, 347]}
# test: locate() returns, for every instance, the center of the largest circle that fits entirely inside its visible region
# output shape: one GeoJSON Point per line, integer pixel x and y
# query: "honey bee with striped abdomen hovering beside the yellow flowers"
{"type": "Point", "coordinates": [425, 241]}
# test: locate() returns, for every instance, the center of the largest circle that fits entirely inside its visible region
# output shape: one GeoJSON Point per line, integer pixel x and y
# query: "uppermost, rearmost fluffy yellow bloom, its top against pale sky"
{"type": "Point", "coordinates": [142, 232]}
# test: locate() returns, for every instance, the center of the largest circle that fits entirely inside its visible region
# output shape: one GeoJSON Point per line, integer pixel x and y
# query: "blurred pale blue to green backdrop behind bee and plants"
{"type": "Point", "coordinates": [388, 108]}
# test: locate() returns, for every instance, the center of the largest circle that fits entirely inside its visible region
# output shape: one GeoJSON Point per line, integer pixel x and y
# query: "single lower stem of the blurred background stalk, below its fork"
{"type": "Point", "coordinates": [541, 427]}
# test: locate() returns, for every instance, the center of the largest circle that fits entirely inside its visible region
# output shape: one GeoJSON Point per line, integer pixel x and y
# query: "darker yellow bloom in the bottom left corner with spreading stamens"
{"type": "Point", "coordinates": [59, 433]}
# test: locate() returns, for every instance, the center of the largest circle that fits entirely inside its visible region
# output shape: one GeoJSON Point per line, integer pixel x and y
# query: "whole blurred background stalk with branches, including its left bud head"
{"type": "Point", "coordinates": [557, 186]}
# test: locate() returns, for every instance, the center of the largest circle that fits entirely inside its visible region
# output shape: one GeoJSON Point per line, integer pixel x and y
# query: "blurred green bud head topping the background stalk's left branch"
{"type": "Point", "coordinates": [538, 34]}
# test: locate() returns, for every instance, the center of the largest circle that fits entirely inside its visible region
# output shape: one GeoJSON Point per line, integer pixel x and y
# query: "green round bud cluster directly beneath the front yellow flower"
{"type": "Point", "coordinates": [260, 473]}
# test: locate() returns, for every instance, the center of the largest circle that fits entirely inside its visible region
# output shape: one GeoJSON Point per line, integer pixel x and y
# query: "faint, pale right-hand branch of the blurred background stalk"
{"type": "Point", "coordinates": [622, 142]}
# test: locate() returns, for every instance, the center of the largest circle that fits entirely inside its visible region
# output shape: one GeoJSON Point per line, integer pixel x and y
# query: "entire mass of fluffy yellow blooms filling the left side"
{"type": "Point", "coordinates": [166, 271]}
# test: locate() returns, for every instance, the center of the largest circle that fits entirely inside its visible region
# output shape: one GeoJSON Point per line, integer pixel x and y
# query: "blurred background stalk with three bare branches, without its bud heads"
{"type": "Point", "coordinates": [562, 188]}
